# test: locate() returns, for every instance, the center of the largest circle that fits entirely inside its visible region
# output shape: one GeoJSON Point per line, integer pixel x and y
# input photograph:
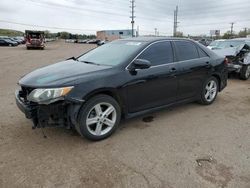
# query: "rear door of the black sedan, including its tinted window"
{"type": "Point", "coordinates": [194, 65]}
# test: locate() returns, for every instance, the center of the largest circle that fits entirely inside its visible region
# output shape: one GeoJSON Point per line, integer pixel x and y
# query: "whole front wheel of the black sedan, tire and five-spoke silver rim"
{"type": "Point", "coordinates": [98, 118]}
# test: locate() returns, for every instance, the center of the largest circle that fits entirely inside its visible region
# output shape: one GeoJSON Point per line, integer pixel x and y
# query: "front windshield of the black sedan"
{"type": "Point", "coordinates": [112, 54]}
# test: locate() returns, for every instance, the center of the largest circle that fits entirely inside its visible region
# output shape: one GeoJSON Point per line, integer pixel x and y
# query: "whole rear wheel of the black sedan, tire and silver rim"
{"type": "Point", "coordinates": [209, 91]}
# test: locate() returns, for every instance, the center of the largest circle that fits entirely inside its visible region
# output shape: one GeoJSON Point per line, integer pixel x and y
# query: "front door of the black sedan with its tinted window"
{"type": "Point", "coordinates": [157, 85]}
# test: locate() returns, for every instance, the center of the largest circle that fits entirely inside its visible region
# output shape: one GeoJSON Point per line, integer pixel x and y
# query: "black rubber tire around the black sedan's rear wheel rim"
{"type": "Point", "coordinates": [203, 100]}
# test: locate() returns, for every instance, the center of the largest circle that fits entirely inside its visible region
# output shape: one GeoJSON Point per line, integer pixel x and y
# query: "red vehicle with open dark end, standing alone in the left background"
{"type": "Point", "coordinates": [34, 39]}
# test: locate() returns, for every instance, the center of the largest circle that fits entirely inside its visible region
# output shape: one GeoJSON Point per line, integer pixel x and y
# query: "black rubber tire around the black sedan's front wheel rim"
{"type": "Point", "coordinates": [81, 126]}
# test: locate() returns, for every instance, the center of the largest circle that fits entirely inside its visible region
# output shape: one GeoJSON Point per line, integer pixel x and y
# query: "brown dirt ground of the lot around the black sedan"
{"type": "Point", "coordinates": [190, 146]}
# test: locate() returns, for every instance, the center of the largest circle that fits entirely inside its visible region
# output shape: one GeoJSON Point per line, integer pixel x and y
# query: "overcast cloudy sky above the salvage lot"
{"type": "Point", "coordinates": [195, 16]}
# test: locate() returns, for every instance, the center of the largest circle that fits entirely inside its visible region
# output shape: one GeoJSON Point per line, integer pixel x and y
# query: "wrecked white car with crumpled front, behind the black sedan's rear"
{"type": "Point", "coordinates": [237, 52]}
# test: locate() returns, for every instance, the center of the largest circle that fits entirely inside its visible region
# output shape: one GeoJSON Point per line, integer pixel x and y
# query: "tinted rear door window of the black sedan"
{"type": "Point", "coordinates": [186, 50]}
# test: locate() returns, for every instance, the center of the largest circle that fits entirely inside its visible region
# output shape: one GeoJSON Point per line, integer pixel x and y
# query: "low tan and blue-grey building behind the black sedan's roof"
{"type": "Point", "coordinates": [110, 35]}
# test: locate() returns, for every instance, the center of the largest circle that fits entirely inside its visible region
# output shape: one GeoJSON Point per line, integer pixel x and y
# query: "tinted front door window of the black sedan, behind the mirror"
{"type": "Point", "coordinates": [158, 53]}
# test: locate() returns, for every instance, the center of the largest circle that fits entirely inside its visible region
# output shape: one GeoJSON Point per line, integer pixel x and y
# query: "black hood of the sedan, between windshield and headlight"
{"type": "Point", "coordinates": [59, 74]}
